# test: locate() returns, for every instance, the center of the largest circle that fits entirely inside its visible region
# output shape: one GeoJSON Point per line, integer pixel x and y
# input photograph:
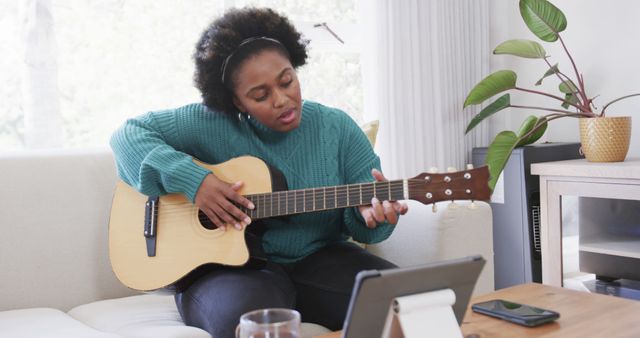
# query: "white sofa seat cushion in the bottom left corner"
{"type": "Point", "coordinates": [45, 322]}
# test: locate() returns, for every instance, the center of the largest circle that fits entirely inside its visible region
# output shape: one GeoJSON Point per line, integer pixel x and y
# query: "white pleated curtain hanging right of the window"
{"type": "Point", "coordinates": [420, 59]}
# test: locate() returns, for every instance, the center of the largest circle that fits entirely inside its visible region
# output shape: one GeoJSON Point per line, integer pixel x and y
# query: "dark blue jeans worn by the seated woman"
{"type": "Point", "coordinates": [319, 287]}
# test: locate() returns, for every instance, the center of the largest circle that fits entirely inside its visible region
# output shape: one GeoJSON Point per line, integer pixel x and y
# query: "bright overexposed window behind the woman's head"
{"type": "Point", "coordinates": [119, 58]}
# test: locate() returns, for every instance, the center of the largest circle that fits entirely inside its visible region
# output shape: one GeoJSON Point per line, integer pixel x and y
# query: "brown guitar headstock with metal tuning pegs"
{"type": "Point", "coordinates": [471, 184]}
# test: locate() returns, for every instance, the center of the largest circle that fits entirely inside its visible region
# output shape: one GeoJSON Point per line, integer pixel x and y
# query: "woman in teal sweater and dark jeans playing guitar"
{"type": "Point", "coordinates": [252, 105]}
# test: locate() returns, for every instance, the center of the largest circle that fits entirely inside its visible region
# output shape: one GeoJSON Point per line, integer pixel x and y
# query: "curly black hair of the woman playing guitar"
{"type": "Point", "coordinates": [223, 37]}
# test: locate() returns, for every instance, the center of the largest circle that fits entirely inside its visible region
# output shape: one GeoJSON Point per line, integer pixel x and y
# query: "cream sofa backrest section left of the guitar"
{"type": "Point", "coordinates": [54, 223]}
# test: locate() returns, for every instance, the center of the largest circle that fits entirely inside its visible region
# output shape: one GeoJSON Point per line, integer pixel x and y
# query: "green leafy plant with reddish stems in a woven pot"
{"type": "Point", "coordinates": [546, 21]}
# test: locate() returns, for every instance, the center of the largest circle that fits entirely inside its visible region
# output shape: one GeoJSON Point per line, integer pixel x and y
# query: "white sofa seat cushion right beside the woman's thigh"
{"type": "Point", "coordinates": [148, 315]}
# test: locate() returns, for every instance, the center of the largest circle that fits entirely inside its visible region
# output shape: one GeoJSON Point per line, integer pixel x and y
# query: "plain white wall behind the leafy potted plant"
{"type": "Point", "coordinates": [602, 37]}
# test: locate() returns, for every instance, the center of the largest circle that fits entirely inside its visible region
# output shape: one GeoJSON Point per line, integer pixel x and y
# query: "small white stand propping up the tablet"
{"type": "Point", "coordinates": [421, 315]}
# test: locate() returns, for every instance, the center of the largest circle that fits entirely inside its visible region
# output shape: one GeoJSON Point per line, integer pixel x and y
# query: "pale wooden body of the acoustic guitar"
{"type": "Point", "coordinates": [183, 242]}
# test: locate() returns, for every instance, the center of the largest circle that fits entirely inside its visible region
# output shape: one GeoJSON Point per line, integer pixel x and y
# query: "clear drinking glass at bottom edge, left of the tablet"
{"type": "Point", "coordinates": [269, 323]}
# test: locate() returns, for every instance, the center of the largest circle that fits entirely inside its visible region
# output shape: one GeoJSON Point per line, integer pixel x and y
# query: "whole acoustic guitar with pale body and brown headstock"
{"type": "Point", "coordinates": [156, 241]}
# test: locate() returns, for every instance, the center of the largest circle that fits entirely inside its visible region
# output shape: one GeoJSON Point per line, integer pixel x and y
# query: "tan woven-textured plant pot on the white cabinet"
{"type": "Point", "coordinates": [605, 139]}
